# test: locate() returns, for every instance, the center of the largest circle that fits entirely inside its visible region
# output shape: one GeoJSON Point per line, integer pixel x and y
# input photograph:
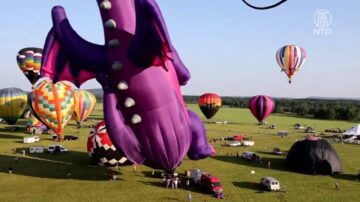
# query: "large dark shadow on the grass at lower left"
{"type": "Point", "coordinates": [53, 167]}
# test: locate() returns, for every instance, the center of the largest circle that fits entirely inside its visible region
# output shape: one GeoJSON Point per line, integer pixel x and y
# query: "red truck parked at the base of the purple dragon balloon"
{"type": "Point", "coordinates": [207, 181]}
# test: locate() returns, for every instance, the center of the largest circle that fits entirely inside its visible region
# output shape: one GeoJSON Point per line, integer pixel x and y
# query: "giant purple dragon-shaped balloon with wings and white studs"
{"type": "Point", "coordinates": [141, 73]}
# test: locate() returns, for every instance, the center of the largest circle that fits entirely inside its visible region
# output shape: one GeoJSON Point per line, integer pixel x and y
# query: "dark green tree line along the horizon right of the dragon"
{"type": "Point", "coordinates": [330, 109]}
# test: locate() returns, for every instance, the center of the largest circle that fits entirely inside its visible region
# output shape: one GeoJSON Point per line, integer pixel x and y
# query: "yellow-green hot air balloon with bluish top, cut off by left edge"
{"type": "Point", "coordinates": [12, 104]}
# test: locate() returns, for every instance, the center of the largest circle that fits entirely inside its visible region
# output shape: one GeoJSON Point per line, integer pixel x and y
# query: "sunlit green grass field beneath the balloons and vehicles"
{"type": "Point", "coordinates": [44, 178]}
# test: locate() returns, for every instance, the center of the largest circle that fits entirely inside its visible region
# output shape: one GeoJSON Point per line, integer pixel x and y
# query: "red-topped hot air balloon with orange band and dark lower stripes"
{"type": "Point", "coordinates": [209, 104]}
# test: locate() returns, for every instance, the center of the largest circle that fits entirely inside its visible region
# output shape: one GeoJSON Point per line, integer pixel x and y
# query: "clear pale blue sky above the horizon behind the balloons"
{"type": "Point", "coordinates": [228, 47]}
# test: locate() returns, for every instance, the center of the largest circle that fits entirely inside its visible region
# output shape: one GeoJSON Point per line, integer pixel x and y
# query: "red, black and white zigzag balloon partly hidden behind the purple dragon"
{"type": "Point", "coordinates": [101, 150]}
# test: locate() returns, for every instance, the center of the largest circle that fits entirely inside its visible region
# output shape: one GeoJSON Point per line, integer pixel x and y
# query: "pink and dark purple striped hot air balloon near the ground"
{"type": "Point", "coordinates": [261, 107]}
